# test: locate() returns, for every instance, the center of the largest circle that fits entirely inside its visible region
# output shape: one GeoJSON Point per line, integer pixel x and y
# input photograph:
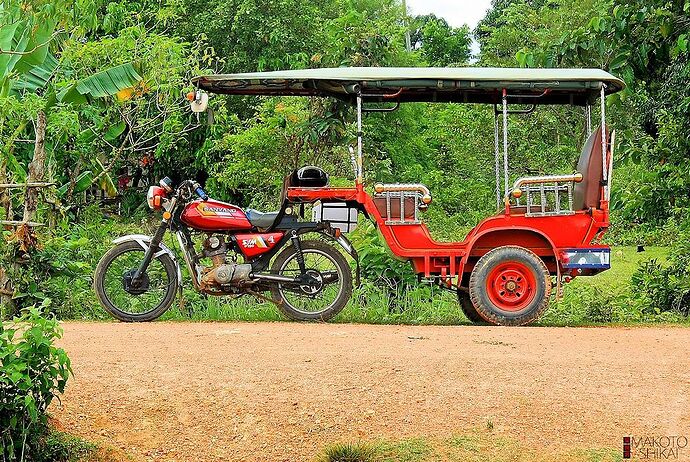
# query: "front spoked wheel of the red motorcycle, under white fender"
{"type": "Point", "coordinates": [142, 300]}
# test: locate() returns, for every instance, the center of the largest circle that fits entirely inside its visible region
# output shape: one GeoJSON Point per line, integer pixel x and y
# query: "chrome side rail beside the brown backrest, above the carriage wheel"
{"type": "Point", "coordinates": [549, 191]}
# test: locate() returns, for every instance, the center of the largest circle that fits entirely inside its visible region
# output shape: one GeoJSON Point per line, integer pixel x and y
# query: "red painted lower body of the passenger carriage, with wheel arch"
{"type": "Point", "coordinates": [546, 236]}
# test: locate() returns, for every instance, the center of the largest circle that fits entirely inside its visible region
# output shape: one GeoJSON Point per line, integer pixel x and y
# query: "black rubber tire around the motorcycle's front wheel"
{"type": "Point", "coordinates": [99, 283]}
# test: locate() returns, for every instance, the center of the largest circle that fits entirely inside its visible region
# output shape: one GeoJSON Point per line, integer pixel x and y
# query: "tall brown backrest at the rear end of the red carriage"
{"type": "Point", "coordinates": [587, 193]}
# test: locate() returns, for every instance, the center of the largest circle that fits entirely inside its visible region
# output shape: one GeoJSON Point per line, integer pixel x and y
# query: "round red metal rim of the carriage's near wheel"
{"type": "Point", "coordinates": [511, 286]}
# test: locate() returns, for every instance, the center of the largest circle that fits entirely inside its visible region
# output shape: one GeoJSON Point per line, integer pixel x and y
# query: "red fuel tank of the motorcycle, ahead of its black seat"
{"type": "Point", "coordinates": [212, 215]}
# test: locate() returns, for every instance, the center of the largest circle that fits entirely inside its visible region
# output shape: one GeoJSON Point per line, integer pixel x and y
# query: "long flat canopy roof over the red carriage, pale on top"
{"type": "Point", "coordinates": [459, 84]}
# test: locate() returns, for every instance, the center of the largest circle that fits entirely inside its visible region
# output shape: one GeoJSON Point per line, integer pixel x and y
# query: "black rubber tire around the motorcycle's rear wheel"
{"type": "Point", "coordinates": [344, 293]}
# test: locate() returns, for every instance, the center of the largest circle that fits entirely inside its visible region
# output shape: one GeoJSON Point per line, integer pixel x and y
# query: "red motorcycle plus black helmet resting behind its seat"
{"type": "Point", "coordinates": [308, 279]}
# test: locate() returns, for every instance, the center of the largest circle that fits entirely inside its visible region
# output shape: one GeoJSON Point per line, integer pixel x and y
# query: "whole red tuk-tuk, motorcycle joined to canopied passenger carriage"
{"type": "Point", "coordinates": [546, 227]}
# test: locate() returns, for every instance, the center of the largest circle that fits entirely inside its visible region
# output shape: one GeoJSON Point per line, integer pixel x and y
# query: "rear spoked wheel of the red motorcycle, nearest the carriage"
{"type": "Point", "coordinates": [325, 290]}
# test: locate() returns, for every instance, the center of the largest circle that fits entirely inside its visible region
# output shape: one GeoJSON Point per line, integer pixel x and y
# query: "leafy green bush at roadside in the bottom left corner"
{"type": "Point", "coordinates": [32, 372]}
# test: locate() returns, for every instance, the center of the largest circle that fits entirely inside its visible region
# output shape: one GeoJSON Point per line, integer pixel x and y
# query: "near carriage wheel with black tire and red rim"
{"type": "Point", "coordinates": [510, 286]}
